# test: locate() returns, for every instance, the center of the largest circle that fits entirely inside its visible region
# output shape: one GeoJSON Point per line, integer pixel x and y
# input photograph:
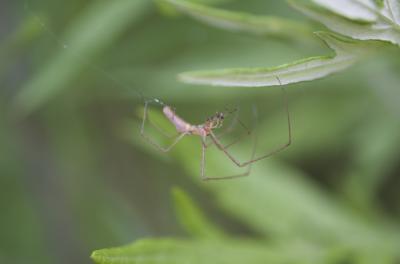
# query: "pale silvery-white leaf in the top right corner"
{"type": "Point", "coordinates": [384, 25]}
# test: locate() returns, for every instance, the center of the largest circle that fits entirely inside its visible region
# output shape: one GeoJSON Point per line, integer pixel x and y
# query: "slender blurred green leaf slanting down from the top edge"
{"type": "Point", "coordinates": [243, 22]}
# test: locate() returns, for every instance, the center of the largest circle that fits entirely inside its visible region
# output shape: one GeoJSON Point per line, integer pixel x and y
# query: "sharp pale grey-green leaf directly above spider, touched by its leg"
{"type": "Point", "coordinates": [347, 53]}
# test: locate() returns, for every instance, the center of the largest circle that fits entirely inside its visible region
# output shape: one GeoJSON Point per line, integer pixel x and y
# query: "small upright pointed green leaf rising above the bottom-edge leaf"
{"type": "Point", "coordinates": [192, 219]}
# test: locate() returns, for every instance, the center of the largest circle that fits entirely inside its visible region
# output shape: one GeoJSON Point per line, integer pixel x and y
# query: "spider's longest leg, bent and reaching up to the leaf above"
{"type": "Point", "coordinates": [218, 143]}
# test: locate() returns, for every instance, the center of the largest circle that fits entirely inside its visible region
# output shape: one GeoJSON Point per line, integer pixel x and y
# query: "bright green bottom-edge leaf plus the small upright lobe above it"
{"type": "Point", "coordinates": [222, 250]}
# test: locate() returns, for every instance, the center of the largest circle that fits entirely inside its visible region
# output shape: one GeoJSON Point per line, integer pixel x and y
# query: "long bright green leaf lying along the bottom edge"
{"type": "Point", "coordinates": [180, 251]}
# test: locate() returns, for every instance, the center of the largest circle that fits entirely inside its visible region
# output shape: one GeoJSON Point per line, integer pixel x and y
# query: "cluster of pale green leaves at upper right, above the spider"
{"type": "Point", "coordinates": [380, 23]}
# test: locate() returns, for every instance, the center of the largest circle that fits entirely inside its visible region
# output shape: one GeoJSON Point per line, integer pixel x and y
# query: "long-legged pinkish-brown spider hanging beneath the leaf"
{"type": "Point", "coordinates": [206, 130]}
